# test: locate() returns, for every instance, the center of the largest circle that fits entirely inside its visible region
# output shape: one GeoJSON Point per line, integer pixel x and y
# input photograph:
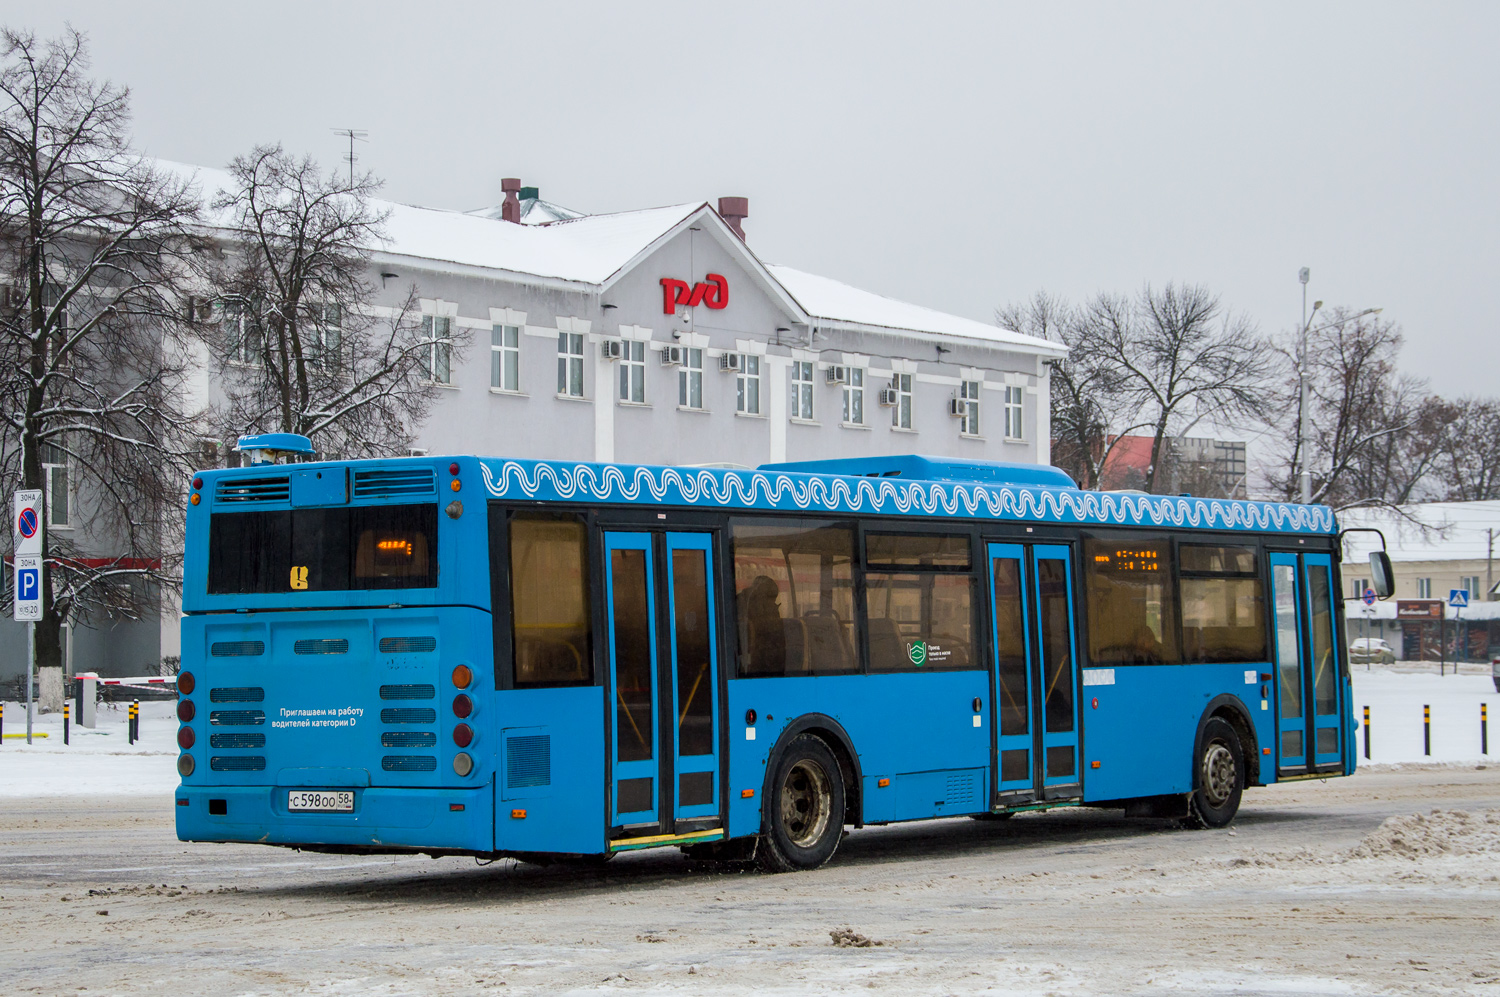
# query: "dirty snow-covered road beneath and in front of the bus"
{"type": "Point", "coordinates": [1070, 902]}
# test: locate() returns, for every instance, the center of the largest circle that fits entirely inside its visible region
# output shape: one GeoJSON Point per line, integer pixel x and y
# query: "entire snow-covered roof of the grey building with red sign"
{"type": "Point", "coordinates": [595, 248]}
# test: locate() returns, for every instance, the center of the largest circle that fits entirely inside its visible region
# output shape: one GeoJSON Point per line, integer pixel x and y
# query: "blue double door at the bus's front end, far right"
{"type": "Point", "coordinates": [1309, 677]}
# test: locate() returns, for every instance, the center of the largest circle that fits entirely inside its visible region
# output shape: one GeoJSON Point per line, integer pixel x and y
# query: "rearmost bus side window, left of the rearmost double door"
{"type": "Point", "coordinates": [550, 602]}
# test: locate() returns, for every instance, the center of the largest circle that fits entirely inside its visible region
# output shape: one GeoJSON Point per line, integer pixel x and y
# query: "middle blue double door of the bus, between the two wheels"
{"type": "Point", "coordinates": [1036, 662]}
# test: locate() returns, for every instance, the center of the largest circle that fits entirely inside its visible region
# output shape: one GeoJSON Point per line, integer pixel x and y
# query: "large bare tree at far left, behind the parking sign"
{"type": "Point", "coordinates": [92, 247]}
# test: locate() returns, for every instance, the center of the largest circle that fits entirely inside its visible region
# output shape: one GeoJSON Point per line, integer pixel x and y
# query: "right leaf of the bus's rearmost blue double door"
{"type": "Point", "coordinates": [695, 677]}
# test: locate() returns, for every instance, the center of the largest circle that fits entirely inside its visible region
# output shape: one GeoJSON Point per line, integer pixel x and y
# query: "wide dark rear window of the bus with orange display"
{"type": "Point", "coordinates": [323, 549]}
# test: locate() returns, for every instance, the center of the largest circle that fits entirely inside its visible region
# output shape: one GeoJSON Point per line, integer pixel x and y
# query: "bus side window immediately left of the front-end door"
{"type": "Point", "coordinates": [1223, 605]}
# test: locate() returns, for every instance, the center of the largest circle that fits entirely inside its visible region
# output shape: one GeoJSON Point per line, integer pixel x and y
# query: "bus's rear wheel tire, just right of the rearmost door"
{"type": "Point", "coordinates": [803, 818]}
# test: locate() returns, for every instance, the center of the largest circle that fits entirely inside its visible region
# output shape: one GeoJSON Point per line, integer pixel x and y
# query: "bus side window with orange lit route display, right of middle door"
{"type": "Point", "coordinates": [1133, 608]}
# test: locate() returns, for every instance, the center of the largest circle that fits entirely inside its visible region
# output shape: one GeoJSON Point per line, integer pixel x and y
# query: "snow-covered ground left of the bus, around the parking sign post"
{"type": "Point", "coordinates": [100, 761]}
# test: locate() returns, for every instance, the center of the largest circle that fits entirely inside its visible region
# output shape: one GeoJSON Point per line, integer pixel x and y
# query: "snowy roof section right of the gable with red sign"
{"type": "Point", "coordinates": [842, 305]}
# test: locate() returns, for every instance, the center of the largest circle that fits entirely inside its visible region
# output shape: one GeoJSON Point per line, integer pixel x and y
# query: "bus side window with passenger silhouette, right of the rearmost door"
{"type": "Point", "coordinates": [794, 599]}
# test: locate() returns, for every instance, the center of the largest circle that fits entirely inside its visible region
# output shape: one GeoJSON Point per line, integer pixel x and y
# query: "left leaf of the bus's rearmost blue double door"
{"type": "Point", "coordinates": [631, 608]}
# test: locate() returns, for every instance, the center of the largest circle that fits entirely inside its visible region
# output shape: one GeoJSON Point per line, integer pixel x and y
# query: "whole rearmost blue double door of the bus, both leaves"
{"type": "Point", "coordinates": [659, 591]}
